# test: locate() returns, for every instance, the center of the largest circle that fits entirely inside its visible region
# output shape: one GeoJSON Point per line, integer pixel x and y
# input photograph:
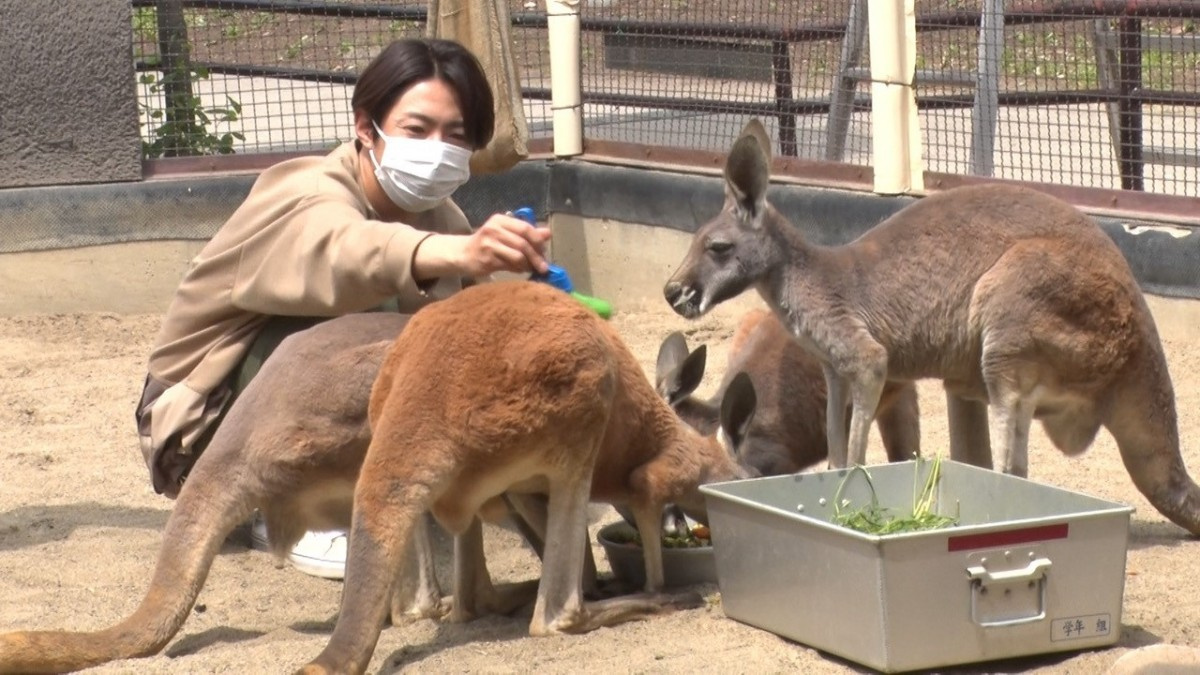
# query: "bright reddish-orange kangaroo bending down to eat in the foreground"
{"type": "Point", "coordinates": [515, 386]}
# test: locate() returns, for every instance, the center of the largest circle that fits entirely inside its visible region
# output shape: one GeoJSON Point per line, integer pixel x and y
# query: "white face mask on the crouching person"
{"type": "Point", "coordinates": [418, 174]}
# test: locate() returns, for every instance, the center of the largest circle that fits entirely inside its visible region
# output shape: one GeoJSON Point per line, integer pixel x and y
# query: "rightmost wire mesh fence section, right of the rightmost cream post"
{"type": "Point", "coordinates": [1091, 94]}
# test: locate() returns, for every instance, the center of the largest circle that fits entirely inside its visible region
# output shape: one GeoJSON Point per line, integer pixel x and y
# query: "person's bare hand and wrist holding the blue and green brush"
{"type": "Point", "coordinates": [502, 244]}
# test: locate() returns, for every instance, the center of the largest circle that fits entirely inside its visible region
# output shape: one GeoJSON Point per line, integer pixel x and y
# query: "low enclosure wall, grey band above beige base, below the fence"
{"type": "Point", "coordinates": [620, 231]}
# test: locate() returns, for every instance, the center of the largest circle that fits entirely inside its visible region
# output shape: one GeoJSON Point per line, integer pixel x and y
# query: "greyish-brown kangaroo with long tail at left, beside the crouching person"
{"type": "Point", "coordinates": [292, 446]}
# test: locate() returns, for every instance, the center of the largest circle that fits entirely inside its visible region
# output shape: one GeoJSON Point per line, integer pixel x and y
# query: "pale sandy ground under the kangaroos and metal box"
{"type": "Point", "coordinates": [80, 530]}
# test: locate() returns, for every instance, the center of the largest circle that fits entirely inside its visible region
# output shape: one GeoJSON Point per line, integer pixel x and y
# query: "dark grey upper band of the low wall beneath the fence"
{"type": "Point", "coordinates": [1166, 260]}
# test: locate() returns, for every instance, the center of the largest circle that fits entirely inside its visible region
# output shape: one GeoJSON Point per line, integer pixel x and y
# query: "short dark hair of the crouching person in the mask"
{"type": "Point", "coordinates": [412, 61]}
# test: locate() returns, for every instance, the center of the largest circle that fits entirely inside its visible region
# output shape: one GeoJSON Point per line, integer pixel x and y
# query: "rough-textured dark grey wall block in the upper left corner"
{"type": "Point", "coordinates": [68, 95]}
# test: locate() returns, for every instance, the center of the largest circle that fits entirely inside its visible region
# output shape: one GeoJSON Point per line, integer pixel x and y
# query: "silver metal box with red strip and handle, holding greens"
{"type": "Point", "coordinates": [1028, 570]}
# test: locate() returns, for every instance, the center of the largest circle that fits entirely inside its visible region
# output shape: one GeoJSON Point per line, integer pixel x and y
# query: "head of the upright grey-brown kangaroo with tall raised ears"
{"type": "Point", "coordinates": [733, 252]}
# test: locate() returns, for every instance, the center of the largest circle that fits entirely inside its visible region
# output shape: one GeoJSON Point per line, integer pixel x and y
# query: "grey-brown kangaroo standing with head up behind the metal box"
{"type": "Point", "coordinates": [1017, 301]}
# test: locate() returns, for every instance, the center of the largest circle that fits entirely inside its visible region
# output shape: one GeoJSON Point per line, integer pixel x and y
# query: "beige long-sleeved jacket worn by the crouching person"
{"type": "Point", "coordinates": [304, 243]}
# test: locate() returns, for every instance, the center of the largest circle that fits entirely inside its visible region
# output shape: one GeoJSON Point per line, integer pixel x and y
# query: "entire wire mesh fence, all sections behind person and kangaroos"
{"type": "Point", "coordinates": [1084, 93]}
